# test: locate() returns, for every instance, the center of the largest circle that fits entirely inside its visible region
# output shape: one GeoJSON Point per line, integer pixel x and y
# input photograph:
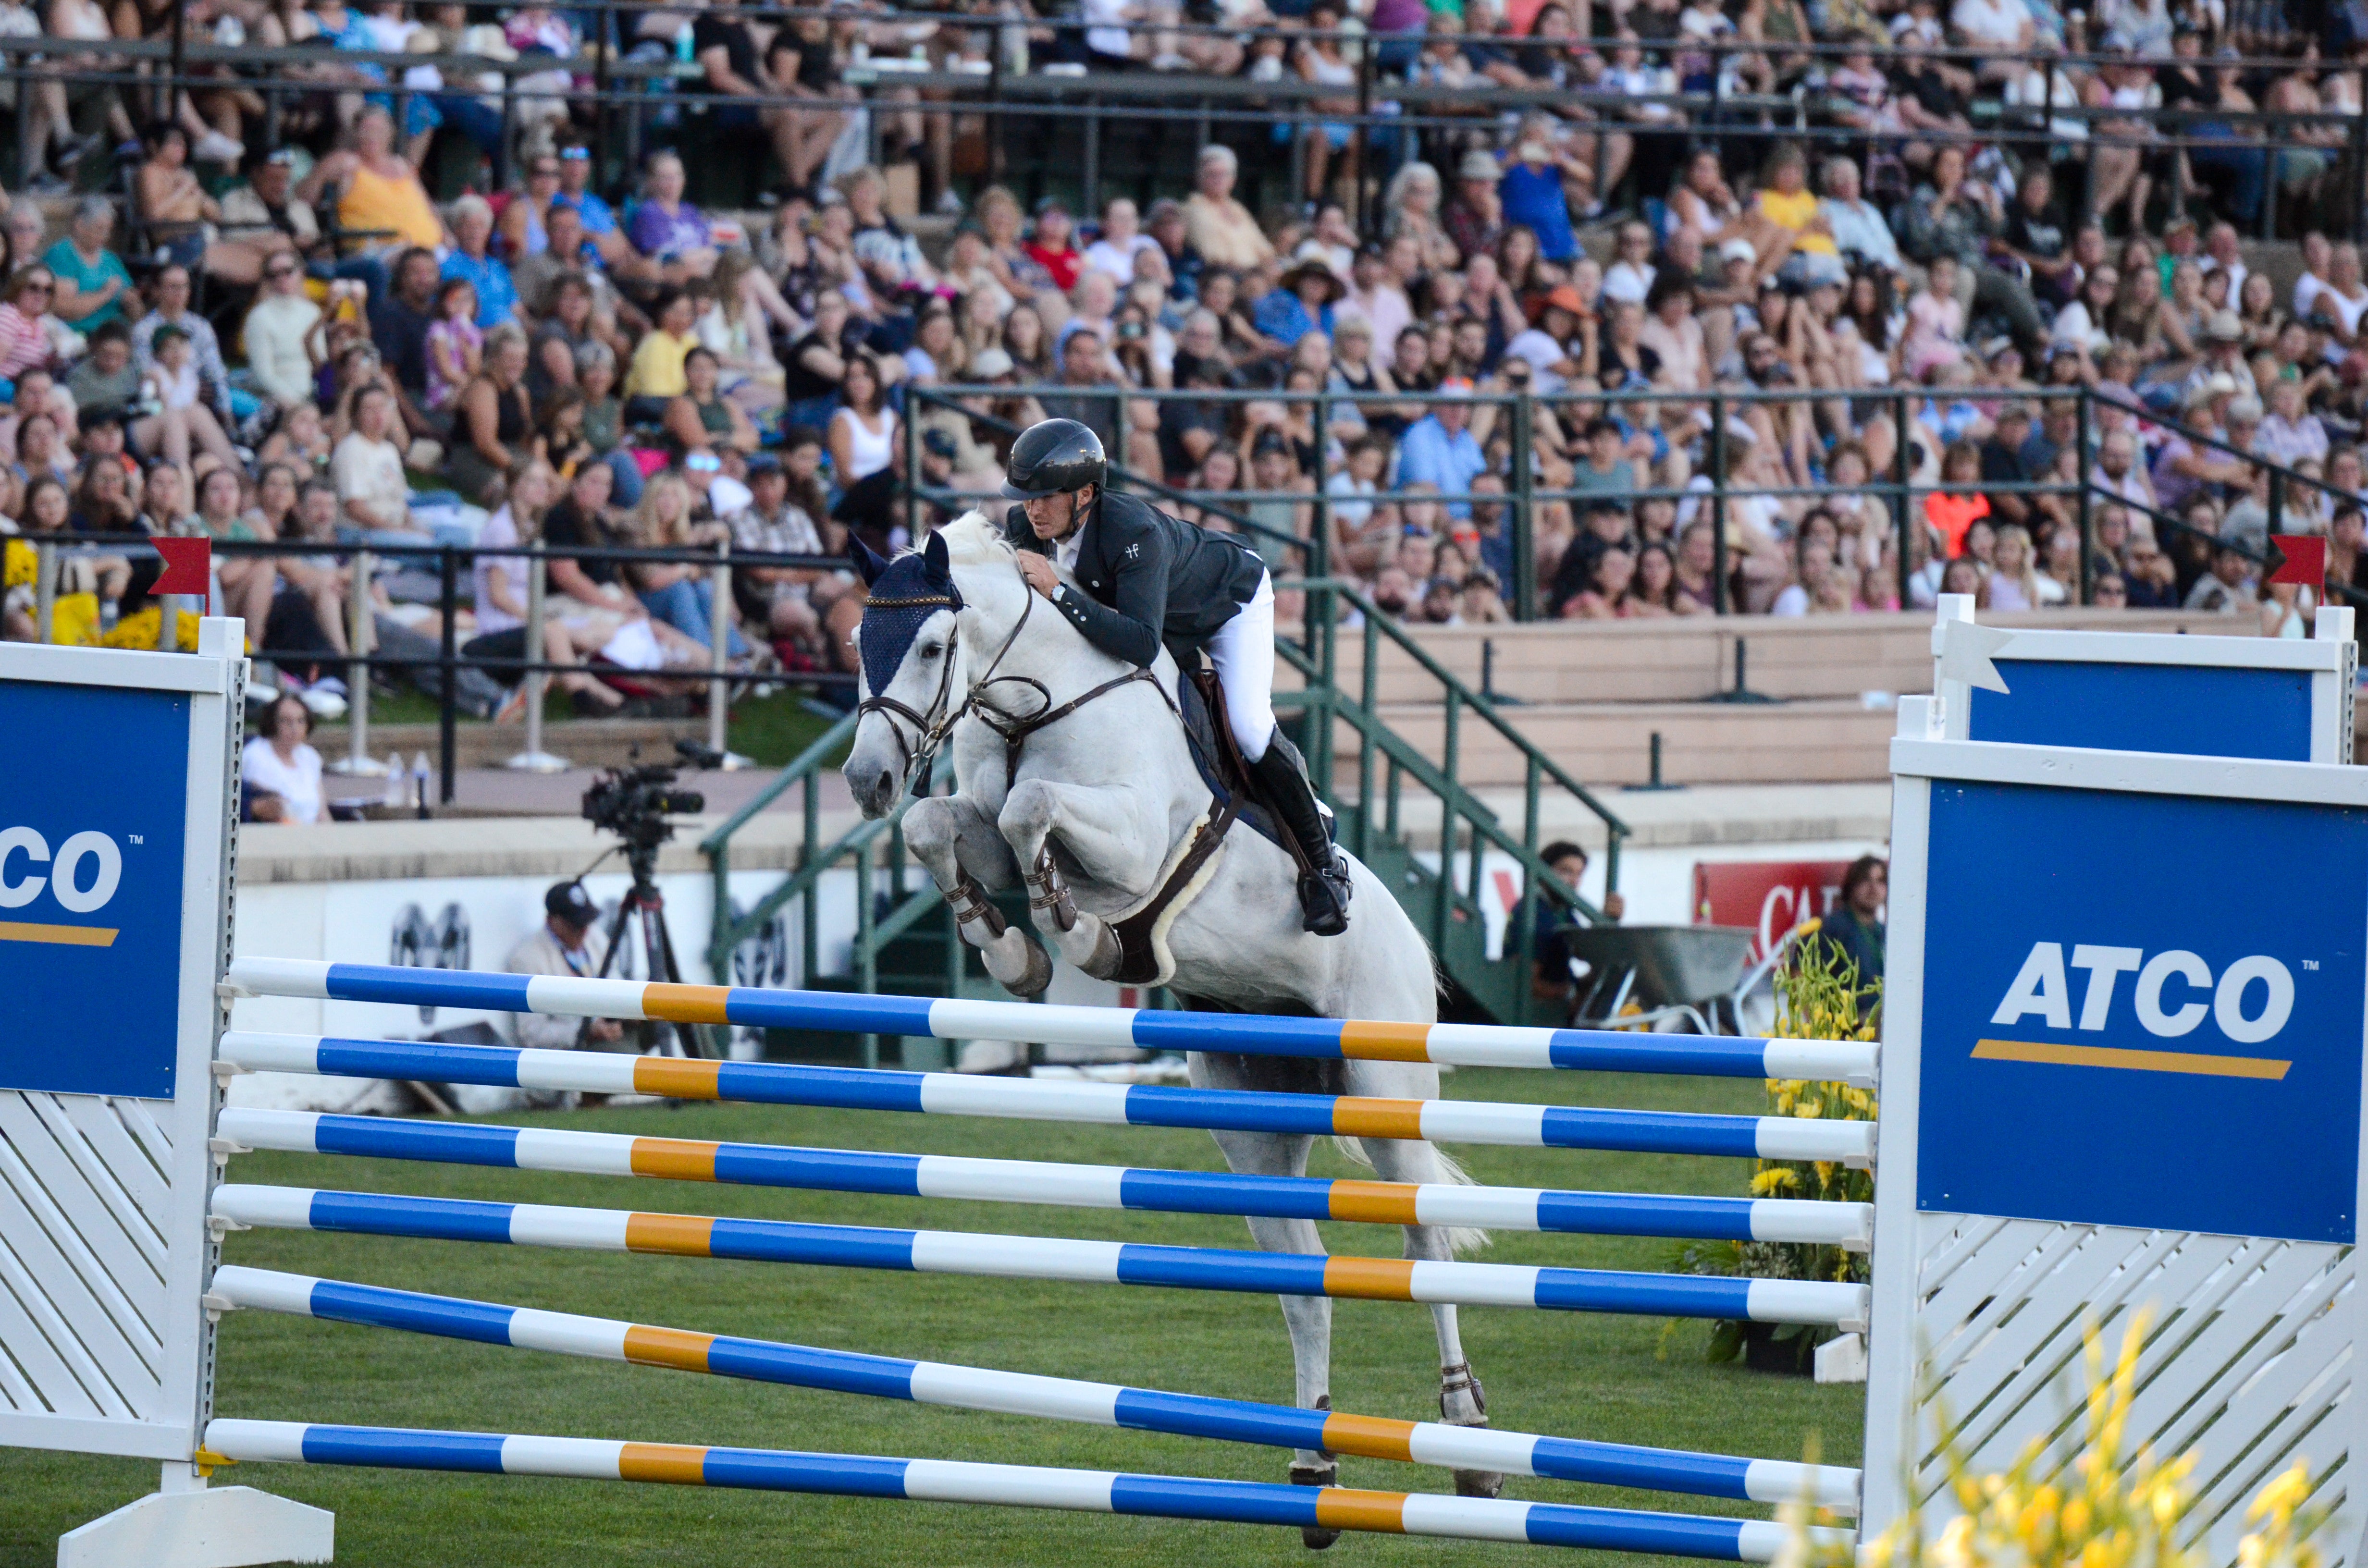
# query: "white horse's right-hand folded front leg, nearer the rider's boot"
{"type": "Point", "coordinates": [1105, 840]}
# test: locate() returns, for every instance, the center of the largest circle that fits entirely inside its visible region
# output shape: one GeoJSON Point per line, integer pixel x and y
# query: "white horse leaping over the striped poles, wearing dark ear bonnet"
{"type": "Point", "coordinates": [1093, 814]}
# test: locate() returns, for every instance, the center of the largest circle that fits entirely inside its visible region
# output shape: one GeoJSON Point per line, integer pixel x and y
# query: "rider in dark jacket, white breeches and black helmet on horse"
{"type": "Point", "coordinates": [1154, 579]}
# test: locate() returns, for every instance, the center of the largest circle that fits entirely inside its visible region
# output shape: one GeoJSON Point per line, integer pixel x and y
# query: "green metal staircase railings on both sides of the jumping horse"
{"type": "Point", "coordinates": [906, 939]}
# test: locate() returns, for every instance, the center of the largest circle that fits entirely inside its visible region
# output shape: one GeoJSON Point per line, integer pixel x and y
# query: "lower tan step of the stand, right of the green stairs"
{"type": "Point", "coordinates": [1801, 743]}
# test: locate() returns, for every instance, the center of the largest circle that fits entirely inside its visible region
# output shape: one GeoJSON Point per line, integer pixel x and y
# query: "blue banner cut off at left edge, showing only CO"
{"type": "Point", "coordinates": [94, 816]}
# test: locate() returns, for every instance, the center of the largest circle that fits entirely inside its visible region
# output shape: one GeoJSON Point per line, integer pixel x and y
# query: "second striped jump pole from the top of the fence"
{"type": "Point", "coordinates": [771, 1084]}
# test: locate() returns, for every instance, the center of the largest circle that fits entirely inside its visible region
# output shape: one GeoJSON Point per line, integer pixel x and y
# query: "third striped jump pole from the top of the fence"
{"type": "Point", "coordinates": [939, 1176]}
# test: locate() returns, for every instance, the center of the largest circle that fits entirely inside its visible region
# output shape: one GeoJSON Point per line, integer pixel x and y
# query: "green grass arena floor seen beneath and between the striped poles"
{"type": "Point", "coordinates": [1547, 1373]}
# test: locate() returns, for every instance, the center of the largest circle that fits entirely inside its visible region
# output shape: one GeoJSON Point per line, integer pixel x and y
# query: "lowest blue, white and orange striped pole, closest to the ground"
{"type": "Point", "coordinates": [1251, 1503]}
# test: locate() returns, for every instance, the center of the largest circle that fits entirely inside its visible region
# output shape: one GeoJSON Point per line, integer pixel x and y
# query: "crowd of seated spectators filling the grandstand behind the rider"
{"type": "Point", "coordinates": [307, 345]}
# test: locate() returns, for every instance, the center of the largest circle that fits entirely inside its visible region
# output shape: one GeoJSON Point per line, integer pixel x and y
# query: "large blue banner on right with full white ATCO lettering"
{"type": "Point", "coordinates": [2144, 1010]}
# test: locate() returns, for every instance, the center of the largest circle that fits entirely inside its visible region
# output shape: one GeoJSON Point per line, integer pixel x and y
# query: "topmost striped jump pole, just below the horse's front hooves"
{"type": "Point", "coordinates": [1474, 1046]}
